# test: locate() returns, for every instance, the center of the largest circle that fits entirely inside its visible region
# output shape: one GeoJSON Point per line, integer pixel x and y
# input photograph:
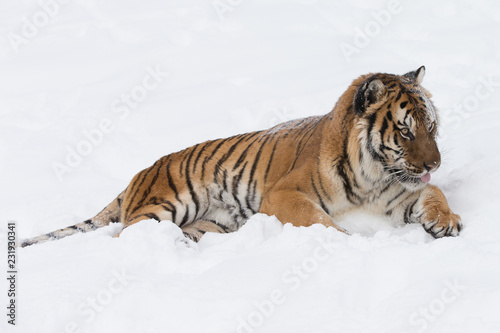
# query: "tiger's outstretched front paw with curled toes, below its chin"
{"type": "Point", "coordinates": [440, 224]}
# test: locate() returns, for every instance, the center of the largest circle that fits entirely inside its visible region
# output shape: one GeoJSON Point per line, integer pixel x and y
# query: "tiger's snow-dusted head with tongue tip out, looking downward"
{"type": "Point", "coordinates": [400, 123]}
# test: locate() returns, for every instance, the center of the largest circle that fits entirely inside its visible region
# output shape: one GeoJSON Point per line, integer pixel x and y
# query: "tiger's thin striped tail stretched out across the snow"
{"type": "Point", "coordinates": [108, 215]}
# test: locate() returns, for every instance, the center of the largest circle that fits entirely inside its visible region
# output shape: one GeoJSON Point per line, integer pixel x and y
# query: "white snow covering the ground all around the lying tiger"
{"type": "Point", "coordinates": [234, 67]}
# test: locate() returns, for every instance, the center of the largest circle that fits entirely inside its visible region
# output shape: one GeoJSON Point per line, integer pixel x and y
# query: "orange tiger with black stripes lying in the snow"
{"type": "Point", "coordinates": [376, 150]}
